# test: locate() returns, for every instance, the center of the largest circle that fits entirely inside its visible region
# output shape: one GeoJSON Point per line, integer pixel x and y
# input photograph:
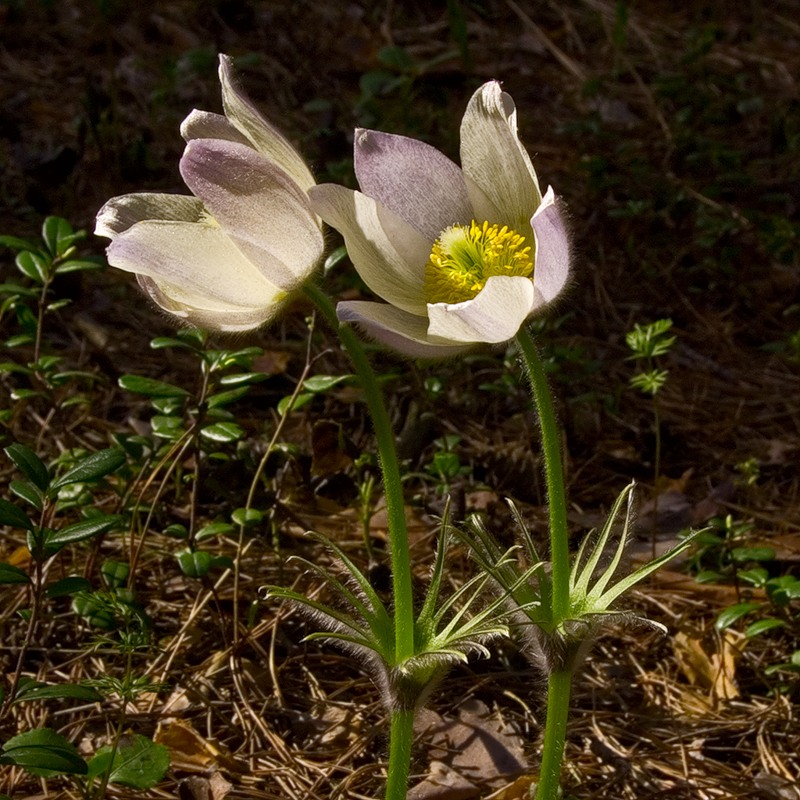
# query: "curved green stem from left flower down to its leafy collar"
{"type": "Point", "coordinates": [392, 486]}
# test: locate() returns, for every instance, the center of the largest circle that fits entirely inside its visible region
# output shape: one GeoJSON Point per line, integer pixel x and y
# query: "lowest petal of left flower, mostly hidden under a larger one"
{"type": "Point", "coordinates": [205, 312]}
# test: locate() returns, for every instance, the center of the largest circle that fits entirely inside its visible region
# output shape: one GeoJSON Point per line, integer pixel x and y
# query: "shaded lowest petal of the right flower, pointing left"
{"type": "Point", "coordinates": [405, 333]}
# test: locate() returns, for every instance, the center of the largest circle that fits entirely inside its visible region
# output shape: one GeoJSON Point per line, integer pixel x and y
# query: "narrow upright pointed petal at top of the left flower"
{"type": "Point", "coordinates": [266, 139]}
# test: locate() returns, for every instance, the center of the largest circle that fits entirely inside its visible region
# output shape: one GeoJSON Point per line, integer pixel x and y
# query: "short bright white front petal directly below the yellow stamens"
{"type": "Point", "coordinates": [494, 315]}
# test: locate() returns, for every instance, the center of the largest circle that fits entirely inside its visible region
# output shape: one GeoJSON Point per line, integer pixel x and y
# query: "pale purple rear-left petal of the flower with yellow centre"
{"type": "Point", "coordinates": [412, 179]}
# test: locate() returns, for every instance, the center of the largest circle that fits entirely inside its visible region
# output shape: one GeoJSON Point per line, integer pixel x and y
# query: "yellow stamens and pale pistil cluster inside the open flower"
{"type": "Point", "coordinates": [465, 256]}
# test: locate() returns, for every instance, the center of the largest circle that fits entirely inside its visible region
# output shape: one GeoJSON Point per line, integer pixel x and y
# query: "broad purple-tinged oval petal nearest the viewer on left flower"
{"type": "Point", "coordinates": [258, 205]}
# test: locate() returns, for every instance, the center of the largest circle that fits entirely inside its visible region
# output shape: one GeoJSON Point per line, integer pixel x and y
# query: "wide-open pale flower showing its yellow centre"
{"type": "Point", "coordinates": [460, 255]}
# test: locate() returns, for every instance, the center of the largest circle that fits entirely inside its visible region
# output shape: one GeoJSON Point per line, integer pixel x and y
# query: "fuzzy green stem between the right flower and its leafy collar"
{"type": "Point", "coordinates": [556, 491]}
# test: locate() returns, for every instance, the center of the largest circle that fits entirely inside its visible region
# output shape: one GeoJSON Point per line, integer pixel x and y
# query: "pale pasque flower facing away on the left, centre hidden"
{"type": "Point", "coordinates": [227, 257]}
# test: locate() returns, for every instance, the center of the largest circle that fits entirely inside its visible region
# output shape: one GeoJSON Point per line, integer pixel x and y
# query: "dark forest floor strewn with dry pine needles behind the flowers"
{"type": "Point", "coordinates": [672, 133]}
